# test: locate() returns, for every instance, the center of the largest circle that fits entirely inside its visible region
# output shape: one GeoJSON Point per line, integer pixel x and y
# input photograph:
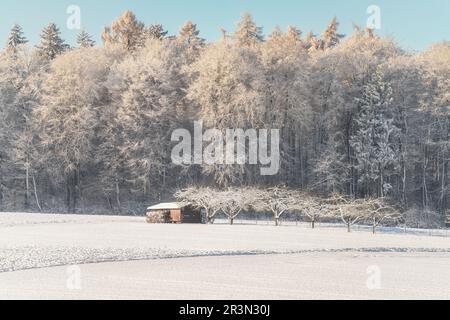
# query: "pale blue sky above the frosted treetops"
{"type": "Point", "coordinates": [415, 24]}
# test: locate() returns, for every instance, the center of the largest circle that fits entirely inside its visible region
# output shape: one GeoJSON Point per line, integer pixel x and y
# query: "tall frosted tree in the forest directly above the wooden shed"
{"type": "Point", "coordinates": [147, 89]}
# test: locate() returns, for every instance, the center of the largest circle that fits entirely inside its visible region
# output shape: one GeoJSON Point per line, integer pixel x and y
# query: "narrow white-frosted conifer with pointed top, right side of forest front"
{"type": "Point", "coordinates": [374, 143]}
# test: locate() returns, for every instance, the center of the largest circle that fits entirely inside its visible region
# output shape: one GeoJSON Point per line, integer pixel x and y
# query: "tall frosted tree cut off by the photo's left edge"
{"type": "Point", "coordinates": [21, 76]}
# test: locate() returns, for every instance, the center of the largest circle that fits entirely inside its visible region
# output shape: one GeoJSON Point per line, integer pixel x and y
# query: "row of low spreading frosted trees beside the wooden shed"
{"type": "Point", "coordinates": [280, 201]}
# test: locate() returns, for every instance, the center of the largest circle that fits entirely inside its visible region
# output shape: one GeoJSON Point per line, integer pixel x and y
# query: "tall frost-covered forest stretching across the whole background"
{"type": "Point", "coordinates": [88, 128]}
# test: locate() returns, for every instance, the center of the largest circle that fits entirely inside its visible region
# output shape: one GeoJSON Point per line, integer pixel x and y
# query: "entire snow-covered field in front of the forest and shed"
{"type": "Point", "coordinates": [104, 257]}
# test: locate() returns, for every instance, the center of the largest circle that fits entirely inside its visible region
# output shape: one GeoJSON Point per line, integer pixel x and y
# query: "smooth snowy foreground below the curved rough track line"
{"type": "Point", "coordinates": [304, 276]}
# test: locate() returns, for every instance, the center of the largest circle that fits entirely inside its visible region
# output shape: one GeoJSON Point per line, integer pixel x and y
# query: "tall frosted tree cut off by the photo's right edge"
{"type": "Point", "coordinates": [435, 125]}
